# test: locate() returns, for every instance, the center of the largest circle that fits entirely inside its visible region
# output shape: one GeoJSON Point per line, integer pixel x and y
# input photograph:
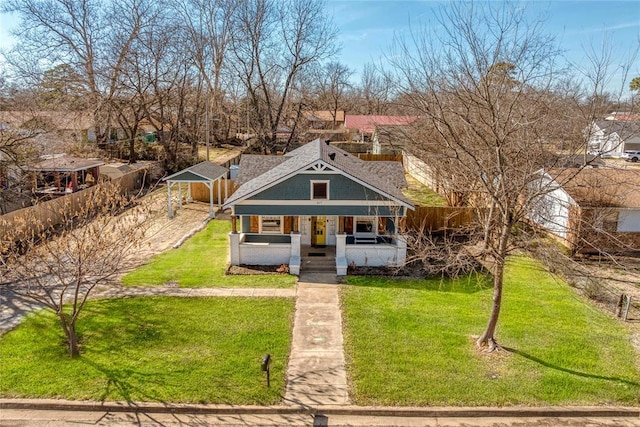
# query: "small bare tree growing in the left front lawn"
{"type": "Point", "coordinates": [59, 266]}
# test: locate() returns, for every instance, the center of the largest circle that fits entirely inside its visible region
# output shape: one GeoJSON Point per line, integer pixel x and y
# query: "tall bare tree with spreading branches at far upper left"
{"type": "Point", "coordinates": [90, 38]}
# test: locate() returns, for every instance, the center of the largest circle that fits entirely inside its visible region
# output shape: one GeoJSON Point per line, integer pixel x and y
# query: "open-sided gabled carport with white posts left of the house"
{"type": "Point", "coordinates": [206, 173]}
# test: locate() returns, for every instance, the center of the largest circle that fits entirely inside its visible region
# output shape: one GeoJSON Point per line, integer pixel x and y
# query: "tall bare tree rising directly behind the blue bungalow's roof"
{"type": "Point", "coordinates": [273, 42]}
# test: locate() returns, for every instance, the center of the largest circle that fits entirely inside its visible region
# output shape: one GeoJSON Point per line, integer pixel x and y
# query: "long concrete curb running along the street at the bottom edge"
{"type": "Point", "coordinates": [380, 411]}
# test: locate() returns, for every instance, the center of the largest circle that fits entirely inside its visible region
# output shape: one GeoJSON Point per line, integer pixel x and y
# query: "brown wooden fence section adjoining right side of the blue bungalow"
{"type": "Point", "coordinates": [438, 218]}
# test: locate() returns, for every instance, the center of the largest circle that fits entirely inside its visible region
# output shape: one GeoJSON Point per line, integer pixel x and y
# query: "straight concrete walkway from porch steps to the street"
{"type": "Point", "coordinates": [316, 374]}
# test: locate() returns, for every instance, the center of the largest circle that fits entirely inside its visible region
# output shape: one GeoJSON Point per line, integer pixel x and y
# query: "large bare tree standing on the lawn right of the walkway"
{"type": "Point", "coordinates": [490, 94]}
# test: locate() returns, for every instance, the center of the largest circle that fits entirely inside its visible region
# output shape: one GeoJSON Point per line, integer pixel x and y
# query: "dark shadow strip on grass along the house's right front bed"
{"type": "Point", "coordinates": [464, 285]}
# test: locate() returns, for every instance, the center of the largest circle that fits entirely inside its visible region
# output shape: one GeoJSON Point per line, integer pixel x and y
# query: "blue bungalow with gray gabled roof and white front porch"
{"type": "Point", "coordinates": [317, 199]}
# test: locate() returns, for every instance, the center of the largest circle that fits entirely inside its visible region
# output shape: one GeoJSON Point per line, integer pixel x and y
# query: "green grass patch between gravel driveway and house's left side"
{"type": "Point", "coordinates": [201, 262]}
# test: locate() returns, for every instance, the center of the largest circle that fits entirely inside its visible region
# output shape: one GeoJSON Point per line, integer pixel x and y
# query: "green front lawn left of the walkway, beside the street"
{"type": "Point", "coordinates": [159, 349]}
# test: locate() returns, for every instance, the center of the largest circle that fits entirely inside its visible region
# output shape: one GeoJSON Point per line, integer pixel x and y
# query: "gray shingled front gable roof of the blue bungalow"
{"type": "Point", "coordinates": [382, 176]}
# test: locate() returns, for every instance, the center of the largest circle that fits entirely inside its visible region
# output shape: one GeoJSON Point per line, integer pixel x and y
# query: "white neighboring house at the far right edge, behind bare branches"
{"type": "Point", "coordinates": [611, 138]}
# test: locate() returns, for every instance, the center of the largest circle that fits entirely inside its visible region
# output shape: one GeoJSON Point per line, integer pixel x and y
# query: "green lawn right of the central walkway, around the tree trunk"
{"type": "Point", "coordinates": [410, 342]}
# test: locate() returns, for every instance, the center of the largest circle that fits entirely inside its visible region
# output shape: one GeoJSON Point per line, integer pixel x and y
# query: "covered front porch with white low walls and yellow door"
{"type": "Point", "coordinates": [275, 240]}
